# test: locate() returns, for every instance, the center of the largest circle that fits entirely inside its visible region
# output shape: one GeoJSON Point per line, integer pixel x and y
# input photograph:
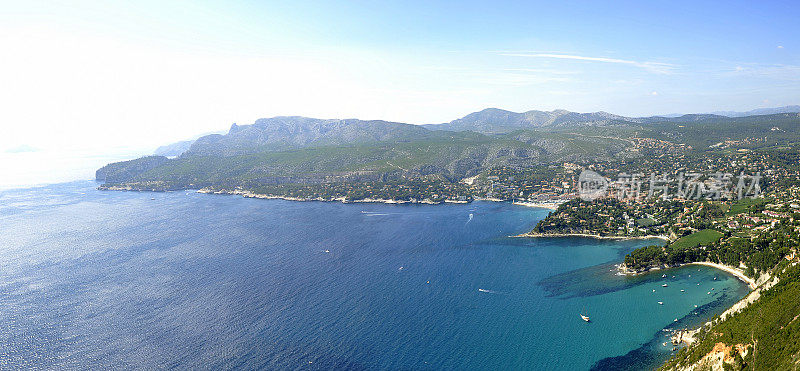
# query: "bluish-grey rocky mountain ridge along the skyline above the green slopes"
{"type": "Point", "coordinates": [285, 132]}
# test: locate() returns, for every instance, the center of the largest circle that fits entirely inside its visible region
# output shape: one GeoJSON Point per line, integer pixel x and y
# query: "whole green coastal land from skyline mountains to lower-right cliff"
{"type": "Point", "coordinates": [537, 156]}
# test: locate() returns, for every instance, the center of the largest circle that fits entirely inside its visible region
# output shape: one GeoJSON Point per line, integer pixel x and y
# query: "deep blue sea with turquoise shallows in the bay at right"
{"type": "Point", "coordinates": [97, 279]}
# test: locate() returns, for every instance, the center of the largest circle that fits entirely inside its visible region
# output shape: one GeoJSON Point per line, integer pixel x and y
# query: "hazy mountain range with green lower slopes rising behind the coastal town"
{"type": "Point", "coordinates": [302, 150]}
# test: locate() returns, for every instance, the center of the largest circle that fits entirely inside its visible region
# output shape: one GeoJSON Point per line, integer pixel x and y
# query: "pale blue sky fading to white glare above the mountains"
{"type": "Point", "coordinates": [93, 80]}
